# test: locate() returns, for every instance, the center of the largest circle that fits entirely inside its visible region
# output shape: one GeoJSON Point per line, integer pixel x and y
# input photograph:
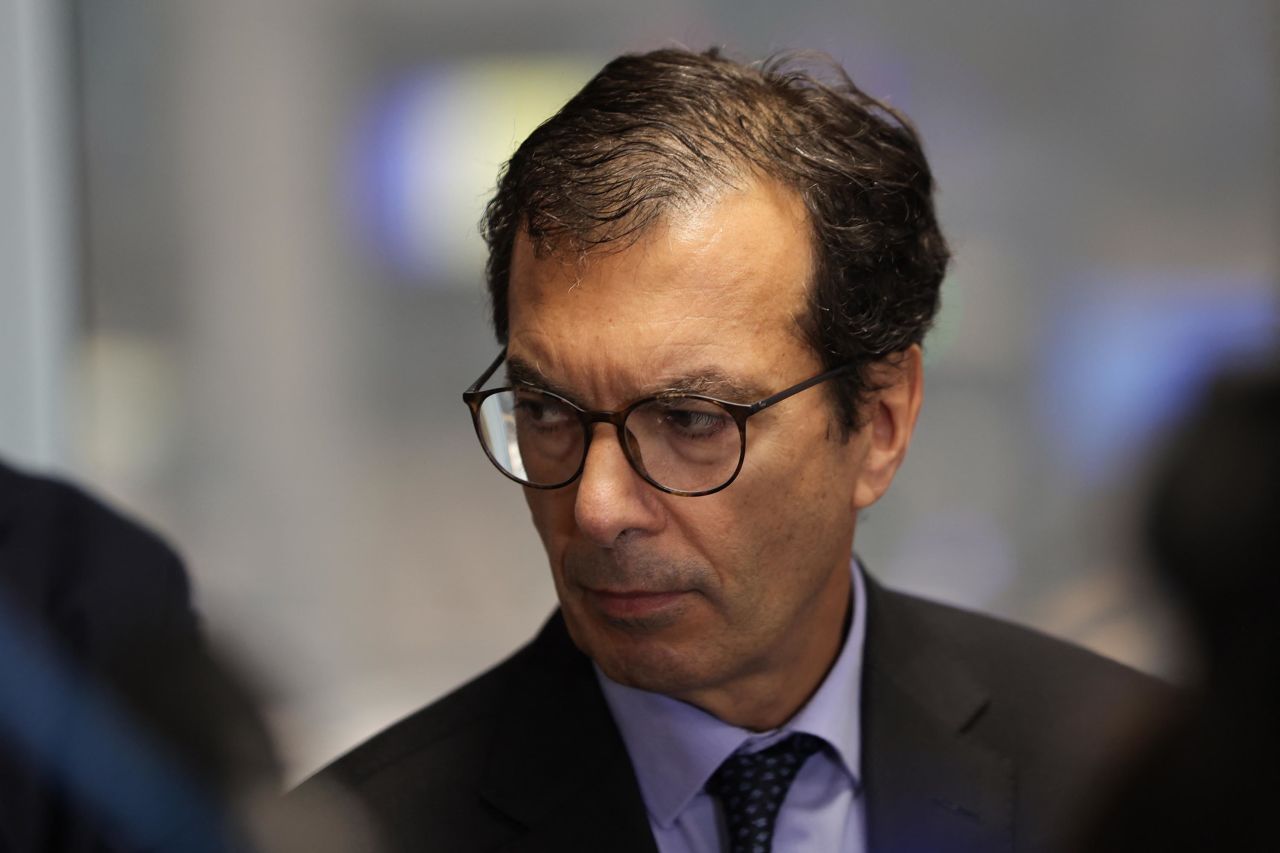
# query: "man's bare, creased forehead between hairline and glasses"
{"type": "Point", "coordinates": [717, 288]}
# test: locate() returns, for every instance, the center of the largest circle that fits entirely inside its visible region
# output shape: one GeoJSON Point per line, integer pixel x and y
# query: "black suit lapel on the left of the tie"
{"type": "Point", "coordinates": [559, 765]}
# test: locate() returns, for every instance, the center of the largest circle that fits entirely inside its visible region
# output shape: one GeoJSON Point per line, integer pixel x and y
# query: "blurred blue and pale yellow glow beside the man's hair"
{"type": "Point", "coordinates": [426, 154]}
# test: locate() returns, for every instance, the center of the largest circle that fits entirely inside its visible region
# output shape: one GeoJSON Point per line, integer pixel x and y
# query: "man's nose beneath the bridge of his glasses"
{"type": "Point", "coordinates": [612, 499]}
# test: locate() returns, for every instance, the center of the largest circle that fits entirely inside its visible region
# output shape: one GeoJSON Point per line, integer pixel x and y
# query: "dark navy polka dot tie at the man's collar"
{"type": "Point", "coordinates": [752, 787]}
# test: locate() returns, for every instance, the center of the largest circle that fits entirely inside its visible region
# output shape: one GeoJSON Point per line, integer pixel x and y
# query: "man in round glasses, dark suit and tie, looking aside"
{"type": "Point", "coordinates": [712, 282]}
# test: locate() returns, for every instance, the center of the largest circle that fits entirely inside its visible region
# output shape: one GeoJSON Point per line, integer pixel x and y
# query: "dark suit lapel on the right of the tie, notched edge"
{"type": "Point", "coordinates": [929, 787]}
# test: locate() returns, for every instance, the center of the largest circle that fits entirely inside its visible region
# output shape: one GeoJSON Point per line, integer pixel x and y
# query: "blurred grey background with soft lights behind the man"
{"type": "Point", "coordinates": [241, 294]}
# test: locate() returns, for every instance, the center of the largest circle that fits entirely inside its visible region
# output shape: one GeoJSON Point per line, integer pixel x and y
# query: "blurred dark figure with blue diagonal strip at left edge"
{"type": "Point", "coordinates": [120, 728]}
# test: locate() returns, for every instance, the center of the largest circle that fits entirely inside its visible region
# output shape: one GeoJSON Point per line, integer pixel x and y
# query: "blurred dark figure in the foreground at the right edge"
{"type": "Point", "coordinates": [1210, 778]}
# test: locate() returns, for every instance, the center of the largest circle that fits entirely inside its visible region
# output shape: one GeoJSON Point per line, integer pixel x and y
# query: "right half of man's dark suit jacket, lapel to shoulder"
{"type": "Point", "coordinates": [1044, 720]}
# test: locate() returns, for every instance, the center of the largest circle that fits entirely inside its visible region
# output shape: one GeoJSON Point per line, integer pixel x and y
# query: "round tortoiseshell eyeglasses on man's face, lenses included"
{"type": "Point", "coordinates": [685, 445]}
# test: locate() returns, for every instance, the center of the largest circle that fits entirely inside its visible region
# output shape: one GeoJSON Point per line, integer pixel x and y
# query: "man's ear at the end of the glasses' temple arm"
{"type": "Point", "coordinates": [890, 416]}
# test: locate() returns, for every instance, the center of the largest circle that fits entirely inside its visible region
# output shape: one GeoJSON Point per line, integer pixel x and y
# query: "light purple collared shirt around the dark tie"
{"type": "Point", "coordinates": [676, 747]}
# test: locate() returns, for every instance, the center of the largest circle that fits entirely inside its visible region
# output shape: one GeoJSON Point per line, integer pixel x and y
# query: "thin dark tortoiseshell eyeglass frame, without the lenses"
{"type": "Point", "coordinates": [474, 399]}
